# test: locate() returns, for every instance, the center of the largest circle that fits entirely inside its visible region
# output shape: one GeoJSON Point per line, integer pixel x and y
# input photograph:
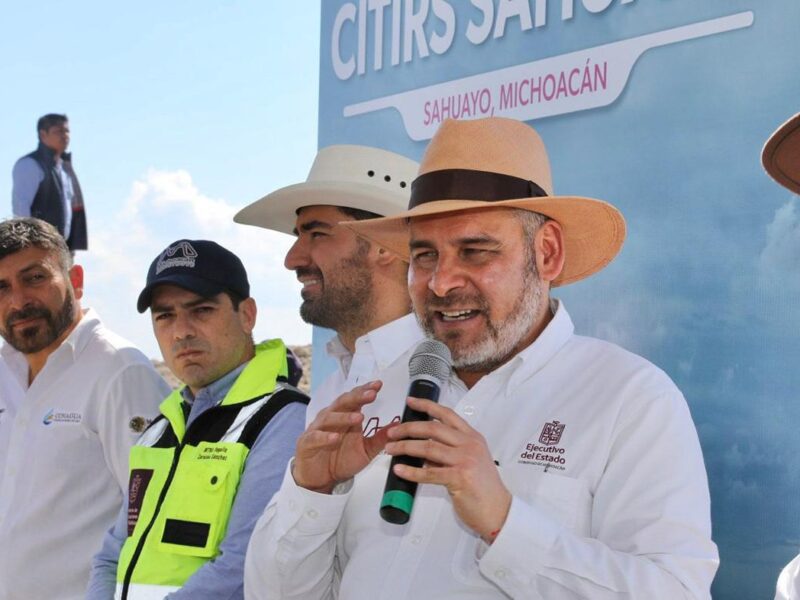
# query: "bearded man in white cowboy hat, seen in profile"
{"type": "Point", "coordinates": [350, 285]}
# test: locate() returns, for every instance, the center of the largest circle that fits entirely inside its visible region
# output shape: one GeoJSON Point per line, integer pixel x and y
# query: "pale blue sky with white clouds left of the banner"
{"type": "Point", "coordinates": [181, 112]}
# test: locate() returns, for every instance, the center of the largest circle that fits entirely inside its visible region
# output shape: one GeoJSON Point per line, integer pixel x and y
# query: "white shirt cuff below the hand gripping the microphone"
{"type": "Point", "coordinates": [518, 552]}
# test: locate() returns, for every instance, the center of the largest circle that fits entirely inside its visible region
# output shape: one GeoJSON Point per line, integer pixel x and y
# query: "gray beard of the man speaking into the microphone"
{"type": "Point", "coordinates": [501, 339]}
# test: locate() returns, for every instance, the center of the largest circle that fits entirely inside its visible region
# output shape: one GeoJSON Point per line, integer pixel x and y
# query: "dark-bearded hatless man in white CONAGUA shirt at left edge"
{"type": "Point", "coordinates": [85, 395]}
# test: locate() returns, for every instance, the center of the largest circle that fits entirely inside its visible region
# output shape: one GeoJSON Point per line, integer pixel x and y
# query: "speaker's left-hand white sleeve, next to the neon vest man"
{"type": "Point", "coordinates": [292, 552]}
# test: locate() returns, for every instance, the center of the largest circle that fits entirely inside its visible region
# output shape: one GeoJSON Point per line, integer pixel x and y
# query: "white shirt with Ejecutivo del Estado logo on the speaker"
{"type": "Point", "coordinates": [610, 496]}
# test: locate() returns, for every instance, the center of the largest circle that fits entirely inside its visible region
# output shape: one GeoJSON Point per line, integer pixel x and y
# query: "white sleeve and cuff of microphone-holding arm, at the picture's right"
{"type": "Point", "coordinates": [651, 532]}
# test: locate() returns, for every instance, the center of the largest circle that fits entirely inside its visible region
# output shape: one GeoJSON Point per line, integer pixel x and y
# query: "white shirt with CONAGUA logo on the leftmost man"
{"type": "Point", "coordinates": [66, 462]}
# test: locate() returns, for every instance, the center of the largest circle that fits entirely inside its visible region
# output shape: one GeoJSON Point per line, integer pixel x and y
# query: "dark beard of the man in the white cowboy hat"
{"type": "Point", "coordinates": [347, 303]}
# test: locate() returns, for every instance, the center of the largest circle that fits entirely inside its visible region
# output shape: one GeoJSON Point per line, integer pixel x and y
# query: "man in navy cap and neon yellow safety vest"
{"type": "Point", "coordinates": [202, 473]}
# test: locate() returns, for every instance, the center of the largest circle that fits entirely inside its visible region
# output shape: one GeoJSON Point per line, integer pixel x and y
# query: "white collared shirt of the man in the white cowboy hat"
{"type": "Point", "coordinates": [384, 350]}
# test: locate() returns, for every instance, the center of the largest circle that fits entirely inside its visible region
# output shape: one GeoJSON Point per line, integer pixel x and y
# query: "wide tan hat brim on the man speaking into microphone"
{"type": "Point", "coordinates": [594, 231]}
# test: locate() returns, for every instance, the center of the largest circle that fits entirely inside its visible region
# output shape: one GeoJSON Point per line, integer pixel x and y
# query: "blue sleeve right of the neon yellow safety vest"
{"type": "Point", "coordinates": [223, 577]}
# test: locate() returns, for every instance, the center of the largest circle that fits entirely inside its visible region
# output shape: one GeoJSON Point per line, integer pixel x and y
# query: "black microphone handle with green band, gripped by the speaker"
{"type": "Point", "coordinates": [398, 495]}
